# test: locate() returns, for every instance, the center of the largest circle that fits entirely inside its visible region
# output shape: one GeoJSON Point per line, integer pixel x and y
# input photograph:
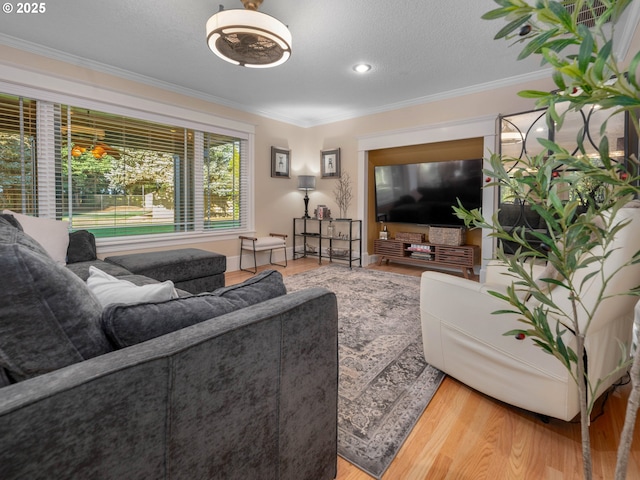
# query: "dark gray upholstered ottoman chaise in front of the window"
{"type": "Point", "coordinates": [190, 269]}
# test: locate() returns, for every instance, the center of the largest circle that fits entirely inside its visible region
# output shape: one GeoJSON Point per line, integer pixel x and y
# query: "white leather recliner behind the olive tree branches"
{"type": "Point", "coordinates": [463, 338]}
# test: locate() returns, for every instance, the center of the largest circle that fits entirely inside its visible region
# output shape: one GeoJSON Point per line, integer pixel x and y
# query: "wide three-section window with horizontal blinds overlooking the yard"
{"type": "Point", "coordinates": [115, 175]}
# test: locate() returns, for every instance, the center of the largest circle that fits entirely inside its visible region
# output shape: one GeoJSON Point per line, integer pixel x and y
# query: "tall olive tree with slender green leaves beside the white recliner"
{"type": "Point", "coordinates": [586, 73]}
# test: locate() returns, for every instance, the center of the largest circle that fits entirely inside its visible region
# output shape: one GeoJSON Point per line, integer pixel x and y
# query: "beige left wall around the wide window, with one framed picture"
{"type": "Point", "coordinates": [277, 200]}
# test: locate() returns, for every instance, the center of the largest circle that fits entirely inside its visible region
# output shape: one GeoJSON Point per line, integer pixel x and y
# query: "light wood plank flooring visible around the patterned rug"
{"type": "Point", "coordinates": [464, 435]}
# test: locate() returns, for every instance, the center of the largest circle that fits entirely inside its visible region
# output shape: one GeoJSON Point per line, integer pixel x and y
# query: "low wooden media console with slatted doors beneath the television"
{"type": "Point", "coordinates": [428, 255]}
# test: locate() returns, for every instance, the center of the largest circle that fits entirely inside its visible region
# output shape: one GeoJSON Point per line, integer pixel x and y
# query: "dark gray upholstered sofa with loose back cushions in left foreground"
{"type": "Point", "coordinates": [240, 383]}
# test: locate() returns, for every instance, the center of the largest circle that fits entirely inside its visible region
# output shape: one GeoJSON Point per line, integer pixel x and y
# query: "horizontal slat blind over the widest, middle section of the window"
{"type": "Point", "coordinates": [127, 176]}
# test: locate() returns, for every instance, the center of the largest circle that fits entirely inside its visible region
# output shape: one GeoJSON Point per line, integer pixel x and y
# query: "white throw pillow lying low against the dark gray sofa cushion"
{"type": "Point", "coordinates": [109, 289]}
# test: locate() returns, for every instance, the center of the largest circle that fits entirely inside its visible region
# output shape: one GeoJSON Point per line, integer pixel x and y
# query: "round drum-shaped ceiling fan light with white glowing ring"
{"type": "Point", "coordinates": [249, 38]}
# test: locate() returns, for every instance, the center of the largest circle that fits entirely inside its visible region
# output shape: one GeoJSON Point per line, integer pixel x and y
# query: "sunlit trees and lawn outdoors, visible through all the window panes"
{"type": "Point", "coordinates": [123, 187]}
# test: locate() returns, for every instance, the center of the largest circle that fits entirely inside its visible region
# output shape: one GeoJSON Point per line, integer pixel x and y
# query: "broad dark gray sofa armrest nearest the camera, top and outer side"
{"type": "Point", "coordinates": [245, 395]}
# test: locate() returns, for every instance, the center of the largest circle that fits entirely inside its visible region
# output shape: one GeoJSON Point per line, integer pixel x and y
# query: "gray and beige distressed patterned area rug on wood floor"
{"type": "Point", "coordinates": [384, 382]}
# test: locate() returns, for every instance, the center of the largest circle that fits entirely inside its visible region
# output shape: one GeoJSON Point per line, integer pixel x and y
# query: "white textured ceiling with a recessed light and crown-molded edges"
{"type": "Point", "coordinates": [419, 50]}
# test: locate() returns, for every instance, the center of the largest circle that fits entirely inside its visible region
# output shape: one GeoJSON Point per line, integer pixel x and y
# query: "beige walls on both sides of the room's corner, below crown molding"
{"type": "Point", "coordinates": [277, 200]}
